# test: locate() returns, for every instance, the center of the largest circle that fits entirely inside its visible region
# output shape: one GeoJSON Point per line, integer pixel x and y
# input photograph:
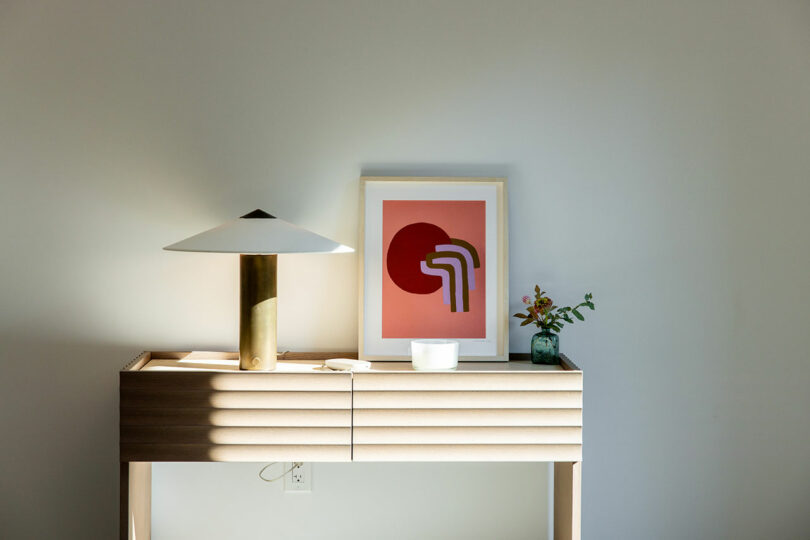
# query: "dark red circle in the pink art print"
{"type": "Point", "coordinates": [407, 250]}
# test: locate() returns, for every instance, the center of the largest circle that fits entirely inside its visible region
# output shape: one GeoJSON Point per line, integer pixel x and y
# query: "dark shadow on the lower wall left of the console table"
{"type": "Point", "coordinates": [60, 437]}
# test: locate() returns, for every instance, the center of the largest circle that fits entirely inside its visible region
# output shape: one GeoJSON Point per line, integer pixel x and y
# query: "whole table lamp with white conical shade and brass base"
{"type": "Point", "coordinates": [258, 237]}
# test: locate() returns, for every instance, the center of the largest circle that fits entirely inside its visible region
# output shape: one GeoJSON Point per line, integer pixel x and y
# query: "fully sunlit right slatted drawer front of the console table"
{"type": "Point", "coordinates": [535, 416]}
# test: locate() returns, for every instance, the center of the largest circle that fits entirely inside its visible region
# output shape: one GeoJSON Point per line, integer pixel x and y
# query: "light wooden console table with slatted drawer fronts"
{"type": "Point", "coordinates": [198, 406]}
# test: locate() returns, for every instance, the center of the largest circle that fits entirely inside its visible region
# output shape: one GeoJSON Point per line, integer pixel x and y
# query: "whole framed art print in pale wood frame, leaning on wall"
{"type": "Point", "coordinates": [433, 265]}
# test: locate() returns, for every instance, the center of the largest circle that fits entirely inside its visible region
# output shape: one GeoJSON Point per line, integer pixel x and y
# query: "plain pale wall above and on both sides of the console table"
{"type": "Point", "coordinates": [658, 155]}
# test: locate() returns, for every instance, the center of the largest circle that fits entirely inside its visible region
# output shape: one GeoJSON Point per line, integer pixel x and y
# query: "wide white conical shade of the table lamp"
{"type": "Point", "coordinates": [259, 233]}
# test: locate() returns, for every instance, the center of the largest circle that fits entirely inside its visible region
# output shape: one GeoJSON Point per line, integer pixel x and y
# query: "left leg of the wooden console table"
{"type": "Point", "coordinates": [135, 521]}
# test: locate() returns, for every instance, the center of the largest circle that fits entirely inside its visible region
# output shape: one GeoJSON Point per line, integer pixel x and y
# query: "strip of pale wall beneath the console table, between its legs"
{"type": "Point", "coordinates": [357, 501]}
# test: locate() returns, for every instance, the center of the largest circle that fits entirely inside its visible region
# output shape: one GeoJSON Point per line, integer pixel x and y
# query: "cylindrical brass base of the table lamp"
{"type": "Point", "coordinates": [257, 312]}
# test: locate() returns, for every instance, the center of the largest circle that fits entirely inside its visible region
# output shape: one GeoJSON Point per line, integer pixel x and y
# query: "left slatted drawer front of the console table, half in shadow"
{"type": "Point", "coordinates": [199, 416]}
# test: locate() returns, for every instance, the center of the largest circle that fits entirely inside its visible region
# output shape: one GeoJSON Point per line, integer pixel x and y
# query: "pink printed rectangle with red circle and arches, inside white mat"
{"type": "Point", "coordinates": [433, 283]}
